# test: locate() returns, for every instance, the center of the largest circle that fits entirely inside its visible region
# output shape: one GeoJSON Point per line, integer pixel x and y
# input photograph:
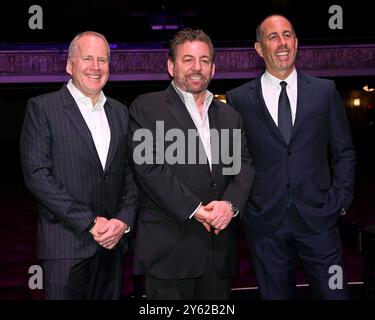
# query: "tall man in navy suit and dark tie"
{"type": "Point", "coordinates": [299, 139]}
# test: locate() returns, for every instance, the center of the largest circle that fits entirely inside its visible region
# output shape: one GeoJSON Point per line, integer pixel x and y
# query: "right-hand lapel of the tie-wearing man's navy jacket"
{"type": "Point", "coordinates": [304, 91]}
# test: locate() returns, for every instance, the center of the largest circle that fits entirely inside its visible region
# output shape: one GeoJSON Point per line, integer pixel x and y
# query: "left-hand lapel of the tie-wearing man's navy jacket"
{"type": "Point", "coordinates": [257, 101]}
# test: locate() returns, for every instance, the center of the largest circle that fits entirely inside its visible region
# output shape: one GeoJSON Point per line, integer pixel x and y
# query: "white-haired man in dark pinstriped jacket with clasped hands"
{"type": "Point", "coordinates": [74, 158]}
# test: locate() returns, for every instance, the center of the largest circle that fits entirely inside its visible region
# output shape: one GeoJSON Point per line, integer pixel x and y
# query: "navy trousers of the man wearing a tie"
{"type": "Point", "coordinates": [274, 259]}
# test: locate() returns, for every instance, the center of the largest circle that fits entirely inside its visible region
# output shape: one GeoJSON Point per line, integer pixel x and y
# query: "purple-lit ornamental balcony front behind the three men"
{"type": "Point", "coordinates": [48, 65]}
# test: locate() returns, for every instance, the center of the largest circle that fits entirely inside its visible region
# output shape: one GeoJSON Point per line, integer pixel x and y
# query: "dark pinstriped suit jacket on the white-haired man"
{"type": "Point", "coordinates": [63, 171]}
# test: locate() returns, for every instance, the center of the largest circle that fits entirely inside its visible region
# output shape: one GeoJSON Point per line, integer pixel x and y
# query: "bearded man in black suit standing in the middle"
{"type": "Point", "coordinates": [186, 234]}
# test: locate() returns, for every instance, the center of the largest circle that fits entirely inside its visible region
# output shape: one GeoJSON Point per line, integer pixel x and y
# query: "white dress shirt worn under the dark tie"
{"type": "Point", "coordinates": [271, 90]}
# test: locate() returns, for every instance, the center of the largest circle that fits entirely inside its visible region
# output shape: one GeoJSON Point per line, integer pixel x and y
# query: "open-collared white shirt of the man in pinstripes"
{"type": "Point", "coordinates": [96, 120]}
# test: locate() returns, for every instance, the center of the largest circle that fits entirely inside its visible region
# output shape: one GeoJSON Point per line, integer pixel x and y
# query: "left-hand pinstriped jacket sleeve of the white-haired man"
{"type": "Point", "coordinates": [35, 150]}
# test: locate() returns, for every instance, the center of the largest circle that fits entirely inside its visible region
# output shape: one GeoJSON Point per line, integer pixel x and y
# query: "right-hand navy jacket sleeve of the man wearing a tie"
{"type": "Point", "coordinates": [341, 150]}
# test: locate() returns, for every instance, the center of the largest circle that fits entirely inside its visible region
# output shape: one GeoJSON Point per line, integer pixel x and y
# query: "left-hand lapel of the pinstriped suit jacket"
{"type": "Point", "coordinates": [72, 112]}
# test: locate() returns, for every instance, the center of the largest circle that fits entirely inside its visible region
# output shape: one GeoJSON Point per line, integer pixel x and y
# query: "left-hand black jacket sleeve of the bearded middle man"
{"type": "Point", "coordinates": [157, 181]}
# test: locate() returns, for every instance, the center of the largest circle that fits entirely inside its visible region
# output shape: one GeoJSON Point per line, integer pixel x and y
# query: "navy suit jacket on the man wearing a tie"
{"type": "Point", "coordinates": [315, 171]}
